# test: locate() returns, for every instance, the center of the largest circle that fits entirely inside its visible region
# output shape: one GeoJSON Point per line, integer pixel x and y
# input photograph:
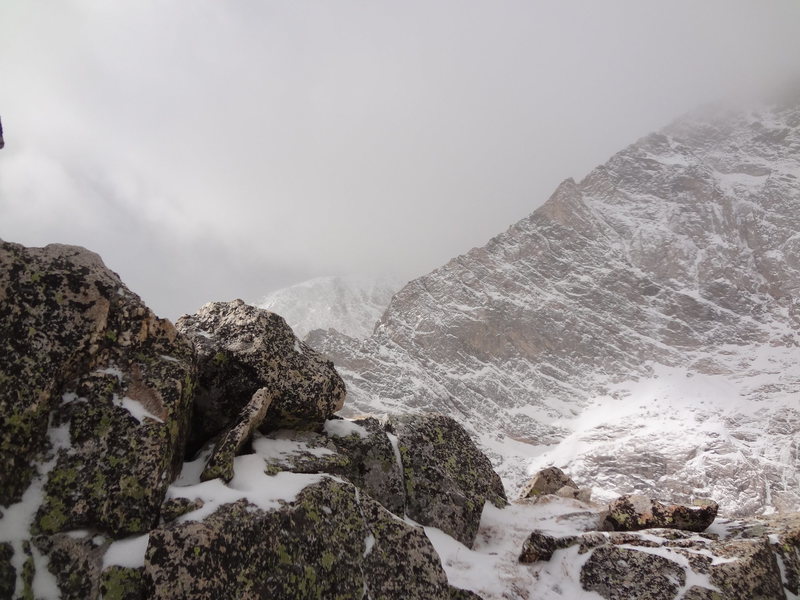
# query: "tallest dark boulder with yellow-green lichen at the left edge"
{"type": "Point", "coordinates": [93, 381]}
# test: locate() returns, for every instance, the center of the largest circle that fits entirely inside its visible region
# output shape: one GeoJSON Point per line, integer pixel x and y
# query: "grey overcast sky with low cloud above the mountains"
{"type": "Point", "coordinates": [211, 149]}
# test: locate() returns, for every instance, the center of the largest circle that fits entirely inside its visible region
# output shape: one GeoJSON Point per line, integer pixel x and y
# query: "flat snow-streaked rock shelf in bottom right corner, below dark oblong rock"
{"type": "Point", "coordinates": [740, 561]}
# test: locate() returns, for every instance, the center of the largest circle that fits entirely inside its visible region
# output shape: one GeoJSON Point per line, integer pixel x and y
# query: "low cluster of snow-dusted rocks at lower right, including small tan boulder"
{"type": "Point", "coordinates": [637, 547]}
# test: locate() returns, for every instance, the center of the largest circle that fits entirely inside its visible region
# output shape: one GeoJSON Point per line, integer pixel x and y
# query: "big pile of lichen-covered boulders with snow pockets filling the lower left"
{"type": "Point", "coordinates": [97, 394]}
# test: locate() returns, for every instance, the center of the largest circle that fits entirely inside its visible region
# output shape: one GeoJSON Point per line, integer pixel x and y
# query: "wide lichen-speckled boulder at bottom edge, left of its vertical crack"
{"type": "Point", "coordinates": [248, 552]}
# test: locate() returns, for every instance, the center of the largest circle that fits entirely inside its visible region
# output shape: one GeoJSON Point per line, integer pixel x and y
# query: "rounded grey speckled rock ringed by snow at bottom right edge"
{"type": "Point", "coordinates": [621, 574]}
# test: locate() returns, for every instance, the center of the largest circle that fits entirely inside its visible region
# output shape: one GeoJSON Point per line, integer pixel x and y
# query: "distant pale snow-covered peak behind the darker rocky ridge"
{"type": "Point", "coordinates": [351, 305]}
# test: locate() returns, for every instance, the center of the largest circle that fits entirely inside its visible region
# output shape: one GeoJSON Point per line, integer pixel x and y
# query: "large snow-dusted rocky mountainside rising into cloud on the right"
{"type": "Point", "coordinates": [641, 329]}
